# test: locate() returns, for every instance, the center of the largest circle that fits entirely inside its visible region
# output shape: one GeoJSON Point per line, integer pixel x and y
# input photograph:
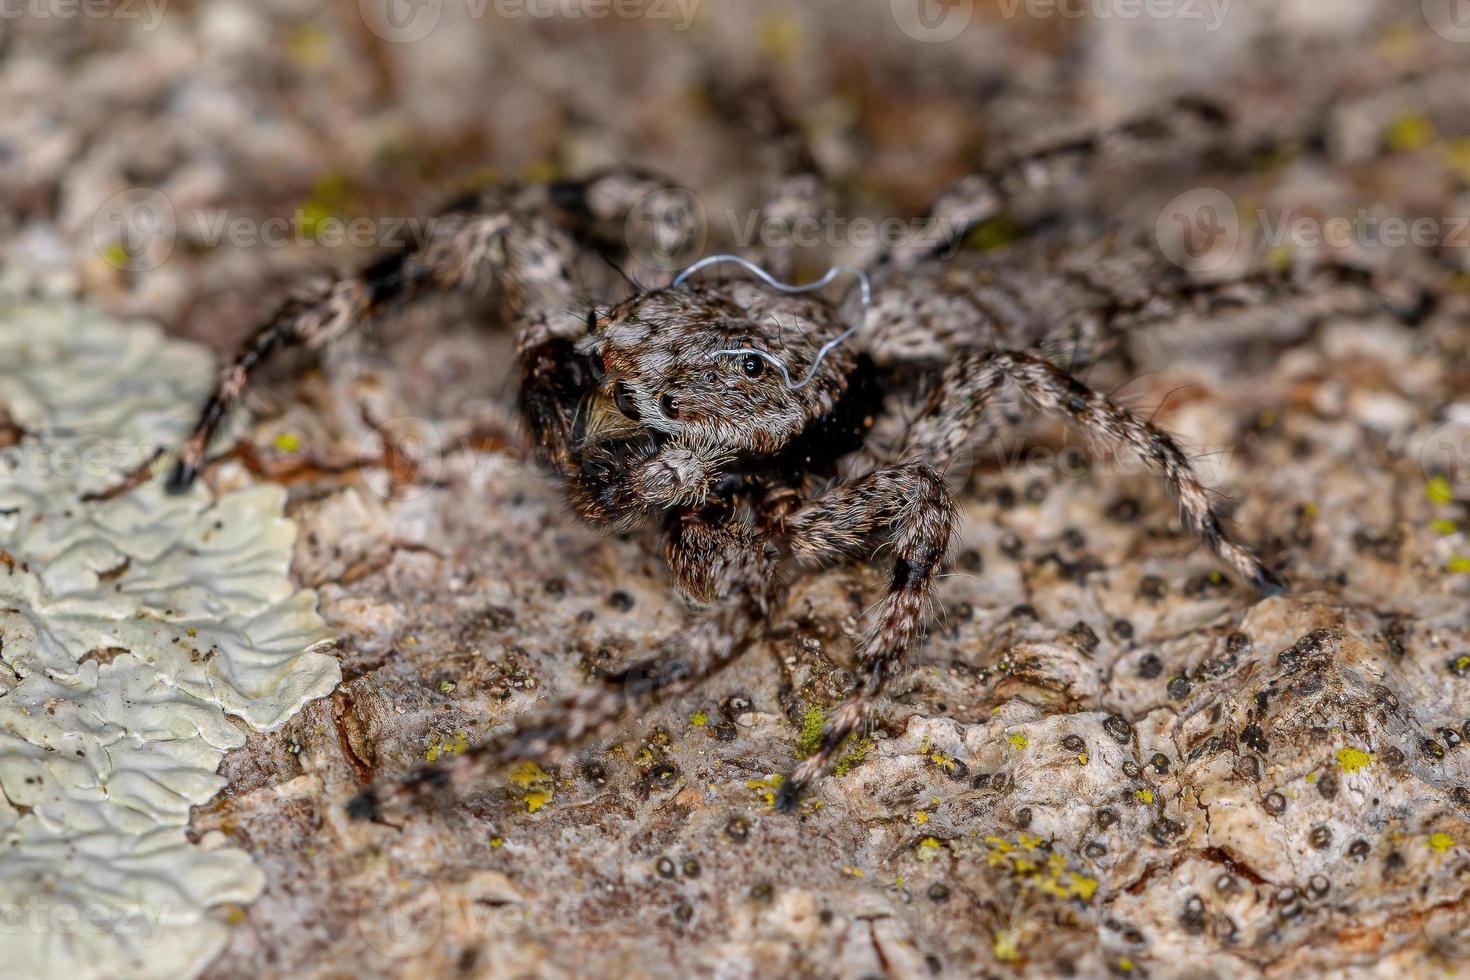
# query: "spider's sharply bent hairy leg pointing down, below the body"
{"type": "Point", "coordinates": [908, 508]}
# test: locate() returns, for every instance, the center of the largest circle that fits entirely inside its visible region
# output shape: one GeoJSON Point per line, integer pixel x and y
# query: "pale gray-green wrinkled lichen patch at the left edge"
{"type": "Point", "coordinates": [132, 625]}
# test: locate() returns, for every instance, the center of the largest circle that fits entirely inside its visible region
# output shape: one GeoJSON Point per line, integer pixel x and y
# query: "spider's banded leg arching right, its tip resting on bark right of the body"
{"type": "Point", "coordinates": [959, 405]}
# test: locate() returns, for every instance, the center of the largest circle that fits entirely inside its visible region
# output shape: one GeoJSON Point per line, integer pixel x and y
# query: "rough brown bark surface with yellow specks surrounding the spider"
{"type": "Point", "coordinates": [1108, 760]}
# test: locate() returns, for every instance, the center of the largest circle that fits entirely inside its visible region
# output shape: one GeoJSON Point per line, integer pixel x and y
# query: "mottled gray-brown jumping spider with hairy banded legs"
{"type": "Point", "coordinates": [734, 415]}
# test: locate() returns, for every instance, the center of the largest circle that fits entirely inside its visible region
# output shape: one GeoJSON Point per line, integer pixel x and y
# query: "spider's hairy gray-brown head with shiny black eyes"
{"type": "Point", "coordinates": [664, 411]}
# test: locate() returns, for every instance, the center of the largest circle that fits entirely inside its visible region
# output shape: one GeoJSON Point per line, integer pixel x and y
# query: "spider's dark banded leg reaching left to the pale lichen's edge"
{"type": "Point", "coordinates": [458, 253]}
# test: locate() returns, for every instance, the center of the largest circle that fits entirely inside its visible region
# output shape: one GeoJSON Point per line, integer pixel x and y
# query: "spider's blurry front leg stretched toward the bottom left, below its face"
{"type": "Point", "coordinates": [712, 561]}
